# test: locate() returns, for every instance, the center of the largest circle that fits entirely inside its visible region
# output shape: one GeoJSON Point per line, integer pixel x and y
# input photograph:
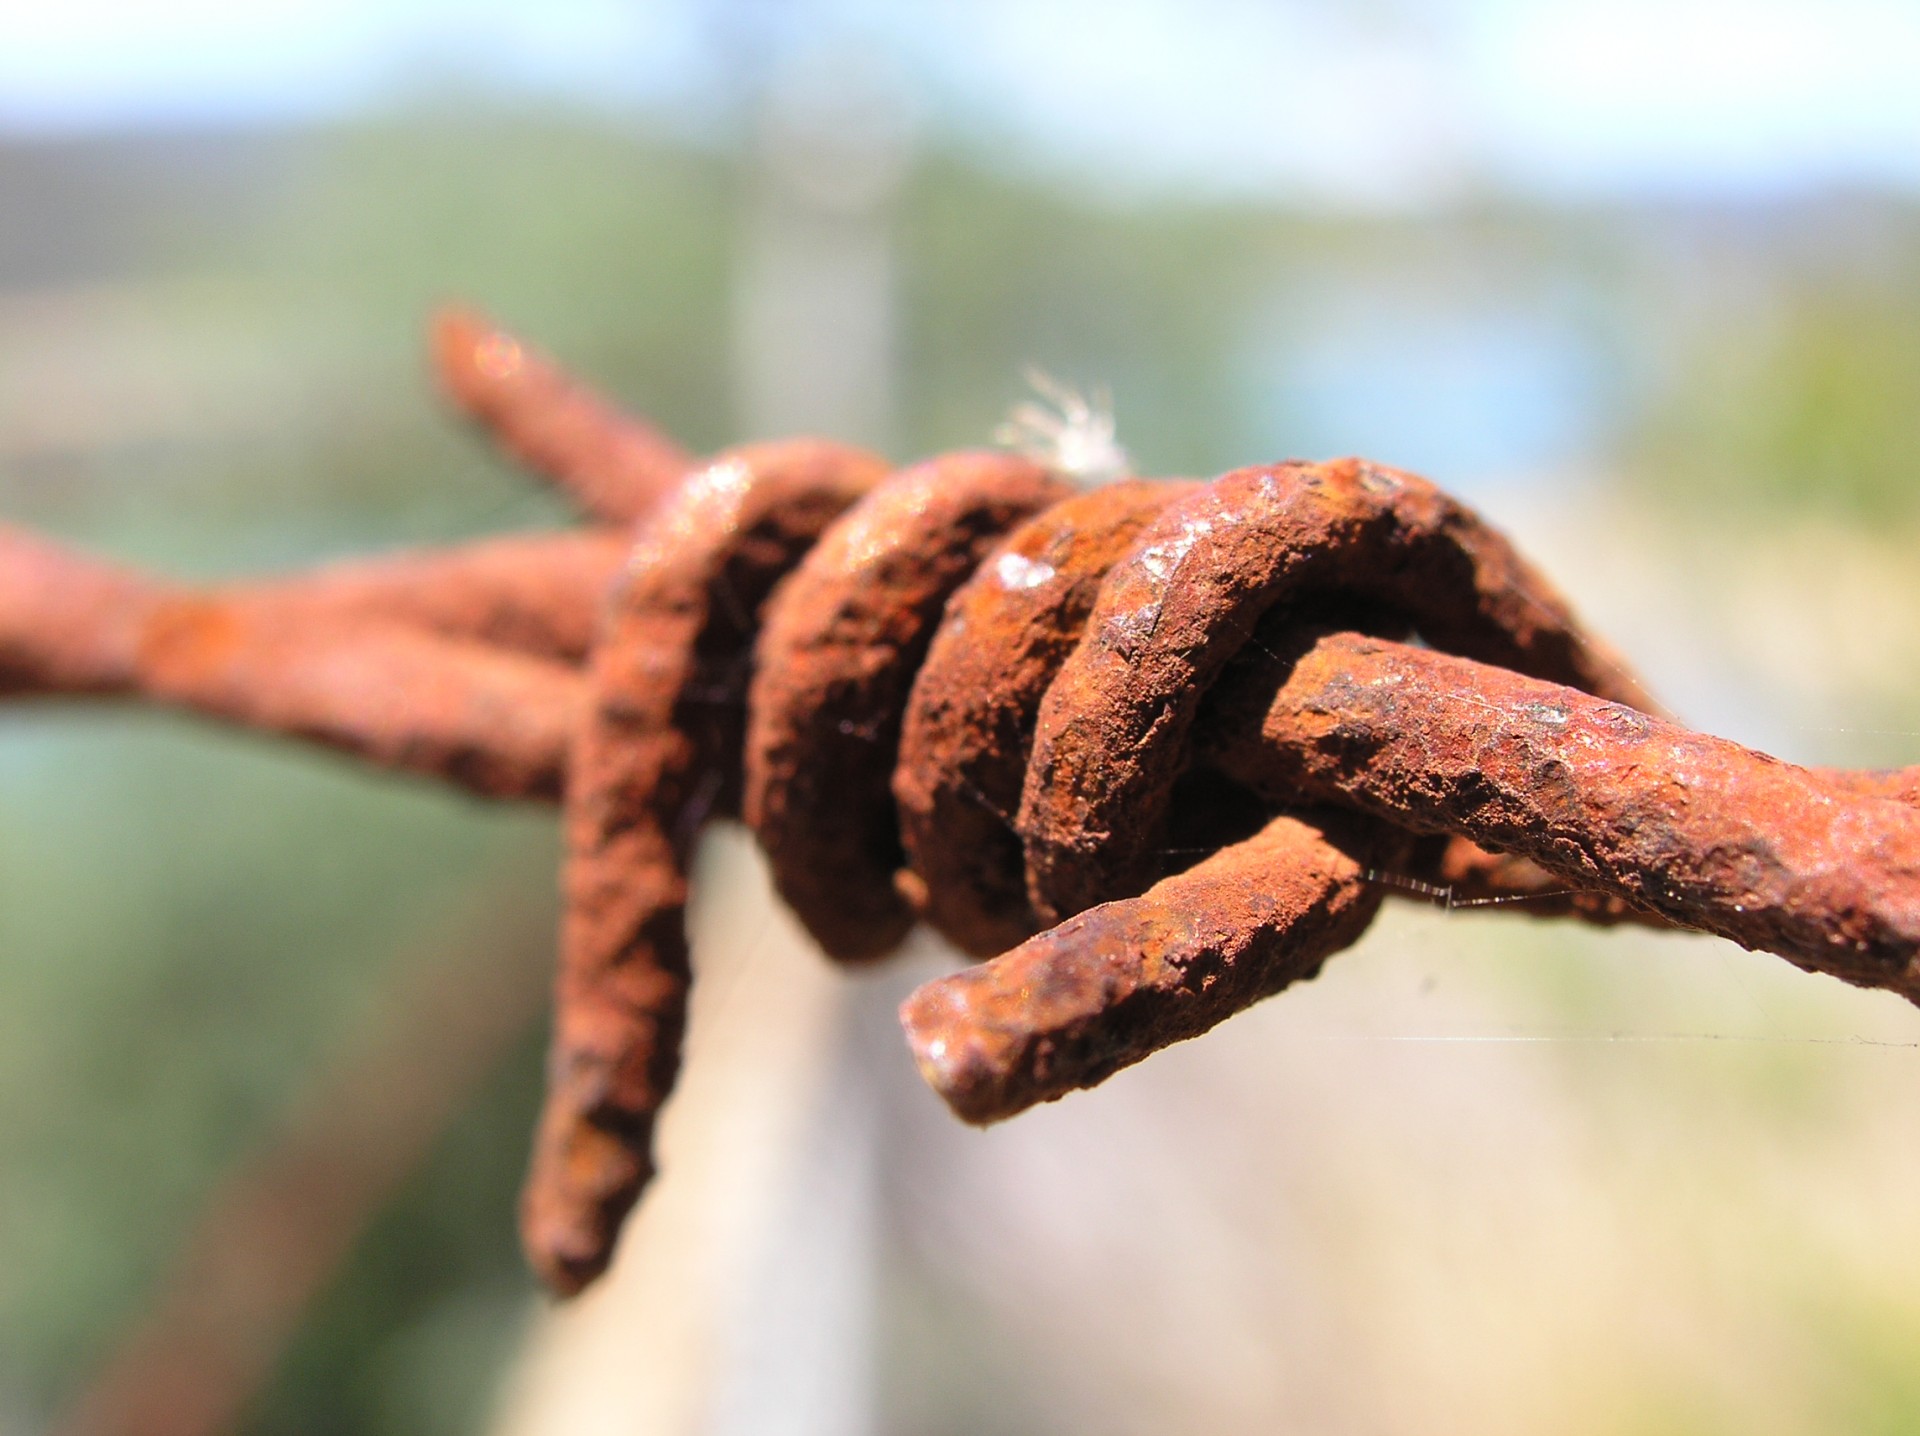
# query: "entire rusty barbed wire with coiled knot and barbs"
{"type": "Point", "coordinates": [1157, 750]}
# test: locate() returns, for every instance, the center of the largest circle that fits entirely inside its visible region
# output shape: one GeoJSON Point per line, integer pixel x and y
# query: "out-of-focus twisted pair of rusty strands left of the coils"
{"type": "Point", "coordinates": [320, 659]}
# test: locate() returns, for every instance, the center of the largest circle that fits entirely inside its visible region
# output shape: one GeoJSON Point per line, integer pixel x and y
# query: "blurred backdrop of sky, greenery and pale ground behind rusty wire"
{"type": "Point", "coordinates": [1641, 281]}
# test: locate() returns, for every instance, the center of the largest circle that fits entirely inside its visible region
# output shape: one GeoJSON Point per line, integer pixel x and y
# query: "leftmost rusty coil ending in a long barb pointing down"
{"type": "Point", "coordinates": [658, 755]}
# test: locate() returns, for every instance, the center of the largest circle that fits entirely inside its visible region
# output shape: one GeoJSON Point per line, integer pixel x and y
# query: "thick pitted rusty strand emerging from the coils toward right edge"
{"type": "Point", "coordinates": [1606, 798]}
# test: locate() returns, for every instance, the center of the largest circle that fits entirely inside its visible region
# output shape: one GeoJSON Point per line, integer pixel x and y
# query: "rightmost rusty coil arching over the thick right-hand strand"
{"type": "Point", "coordinates": [1189, 594]}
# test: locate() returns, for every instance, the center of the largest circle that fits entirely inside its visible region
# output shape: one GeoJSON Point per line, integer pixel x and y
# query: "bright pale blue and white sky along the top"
{"type": "Point", "coordinates": [1383, 103]}
